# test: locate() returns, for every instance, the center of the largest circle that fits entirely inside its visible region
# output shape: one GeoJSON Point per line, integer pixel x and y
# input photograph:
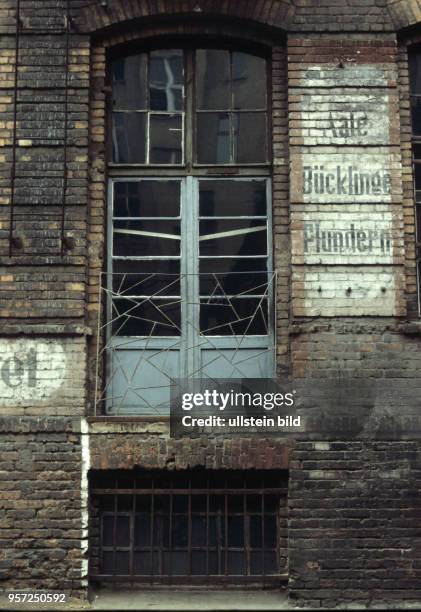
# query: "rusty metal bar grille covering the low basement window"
{"type": "Point", "coordinates": [194, 527]}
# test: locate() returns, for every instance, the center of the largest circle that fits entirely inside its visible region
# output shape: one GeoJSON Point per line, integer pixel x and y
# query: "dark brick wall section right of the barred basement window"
{"type": "Point", "coordinates": [354, 534]}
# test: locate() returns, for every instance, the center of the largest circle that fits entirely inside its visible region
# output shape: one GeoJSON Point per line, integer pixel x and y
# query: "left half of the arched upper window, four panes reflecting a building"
{"type": "Point", "coordinates": [142, 86]}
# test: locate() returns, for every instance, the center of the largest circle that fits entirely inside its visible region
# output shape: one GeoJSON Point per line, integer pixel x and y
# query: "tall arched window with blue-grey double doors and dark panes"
{"type": "Point", "coordinates": [189, 279]}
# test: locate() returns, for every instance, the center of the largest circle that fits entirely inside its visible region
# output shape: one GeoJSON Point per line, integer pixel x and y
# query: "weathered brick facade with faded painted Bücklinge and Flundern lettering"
{"type": "Point", "coordinates": [344, 250]}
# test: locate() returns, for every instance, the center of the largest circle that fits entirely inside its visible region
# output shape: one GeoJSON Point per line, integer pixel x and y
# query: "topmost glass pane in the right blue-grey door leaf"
{"type": "Point", "coordinates": [232, 198]}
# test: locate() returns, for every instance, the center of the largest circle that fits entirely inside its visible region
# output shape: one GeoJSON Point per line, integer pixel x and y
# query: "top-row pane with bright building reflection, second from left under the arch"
{"type": "Point", "coordinates": [166, 80]}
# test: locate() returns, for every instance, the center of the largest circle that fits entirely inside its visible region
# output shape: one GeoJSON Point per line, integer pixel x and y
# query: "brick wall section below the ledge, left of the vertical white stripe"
{"type": "Point", "coordinates": [40, 507]}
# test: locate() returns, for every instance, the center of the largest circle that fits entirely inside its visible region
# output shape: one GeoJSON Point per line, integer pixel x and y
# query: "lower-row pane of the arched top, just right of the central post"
{"type": "Point", "coordinates": [213, 138]}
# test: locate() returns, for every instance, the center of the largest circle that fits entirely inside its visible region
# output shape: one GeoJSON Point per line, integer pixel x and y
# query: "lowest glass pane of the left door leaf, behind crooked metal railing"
{"type": "Point", "coordinates": [146, 317]}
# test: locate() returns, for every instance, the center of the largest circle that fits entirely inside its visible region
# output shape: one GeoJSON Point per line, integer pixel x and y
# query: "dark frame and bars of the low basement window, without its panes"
{"type": "Point", "coordinates": [224, 485]}
